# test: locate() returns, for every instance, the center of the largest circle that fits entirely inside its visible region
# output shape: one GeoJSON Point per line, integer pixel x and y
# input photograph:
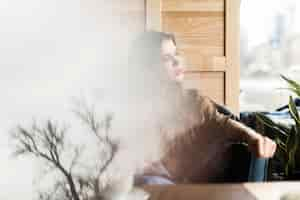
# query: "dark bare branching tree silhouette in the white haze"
{"type": "Point", "coordinates": [47, 142]}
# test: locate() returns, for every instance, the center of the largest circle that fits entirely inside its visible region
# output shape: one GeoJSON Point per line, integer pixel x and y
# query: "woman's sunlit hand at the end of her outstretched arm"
{"type": "Point", "coordinates": [261, 146]}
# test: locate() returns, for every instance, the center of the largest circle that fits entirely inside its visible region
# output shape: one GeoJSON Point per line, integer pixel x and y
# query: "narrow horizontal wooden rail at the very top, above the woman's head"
{"type": "Point", "coordinates": [193, 5]}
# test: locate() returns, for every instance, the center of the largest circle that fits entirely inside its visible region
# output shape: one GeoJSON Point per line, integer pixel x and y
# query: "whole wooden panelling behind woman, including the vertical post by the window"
{"type": "Point", "coordinates": [207, 33]}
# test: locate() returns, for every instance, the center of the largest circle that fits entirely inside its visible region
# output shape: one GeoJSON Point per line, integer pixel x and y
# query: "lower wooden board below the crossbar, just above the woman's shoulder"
{"type": "Point", "coordinates": [207, 83]}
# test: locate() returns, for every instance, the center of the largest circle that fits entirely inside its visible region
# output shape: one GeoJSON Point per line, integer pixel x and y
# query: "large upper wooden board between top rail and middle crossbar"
{"type": "Point", "coordinates": [198, 32]}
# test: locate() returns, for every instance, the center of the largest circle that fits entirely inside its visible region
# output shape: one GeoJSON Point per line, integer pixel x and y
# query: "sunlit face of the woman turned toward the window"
{"type": "Point", "coordinates": [171, 61]}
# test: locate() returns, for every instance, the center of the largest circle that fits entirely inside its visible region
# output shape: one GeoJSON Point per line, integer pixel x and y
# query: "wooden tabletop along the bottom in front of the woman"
{"type": "Point", "coordinates": [243, 191]}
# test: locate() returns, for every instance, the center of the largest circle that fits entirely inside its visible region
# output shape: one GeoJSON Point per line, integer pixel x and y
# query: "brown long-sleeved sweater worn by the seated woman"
{"type": "Point", "coordinates": [201, 153]}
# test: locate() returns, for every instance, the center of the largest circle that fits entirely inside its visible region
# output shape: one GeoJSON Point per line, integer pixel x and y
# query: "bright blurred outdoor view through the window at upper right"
{"type": "Point", "coordinates": [270, 46]}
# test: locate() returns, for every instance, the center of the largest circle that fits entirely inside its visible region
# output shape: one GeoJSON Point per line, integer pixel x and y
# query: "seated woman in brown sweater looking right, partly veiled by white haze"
{"type": "Point", "coordinates": [197, 136]}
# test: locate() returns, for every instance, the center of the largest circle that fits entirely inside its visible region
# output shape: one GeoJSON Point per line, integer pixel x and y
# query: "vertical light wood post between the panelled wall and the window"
{"type": "Point", "coordinates": [232, 53]}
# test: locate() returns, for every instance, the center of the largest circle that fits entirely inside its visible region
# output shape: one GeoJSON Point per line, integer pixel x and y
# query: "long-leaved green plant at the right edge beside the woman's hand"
{"type": "Point", "coordinates": [286, 162]}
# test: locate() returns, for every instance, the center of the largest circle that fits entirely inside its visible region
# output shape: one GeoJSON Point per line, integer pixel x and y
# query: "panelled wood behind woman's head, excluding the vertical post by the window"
{"type": "Point", "coordinates": [199, 27]}
